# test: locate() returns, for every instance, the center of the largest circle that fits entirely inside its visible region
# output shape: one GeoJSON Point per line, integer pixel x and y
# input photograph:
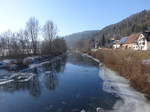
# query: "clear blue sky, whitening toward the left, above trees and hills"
{"type": "Point", "coordinates": [70, 16]}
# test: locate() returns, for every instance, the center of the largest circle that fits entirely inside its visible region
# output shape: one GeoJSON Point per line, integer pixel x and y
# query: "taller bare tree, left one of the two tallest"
{"type": "Point", "coordinates": [32, 28]}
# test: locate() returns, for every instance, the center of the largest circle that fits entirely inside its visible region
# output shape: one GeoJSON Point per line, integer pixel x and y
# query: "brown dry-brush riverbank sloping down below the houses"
{"type": "Point", "coordinates": [129, 64]}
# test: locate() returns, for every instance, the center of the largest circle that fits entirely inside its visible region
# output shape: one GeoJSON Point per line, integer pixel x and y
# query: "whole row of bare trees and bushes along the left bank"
{"type": "Point", "coordinates": [33, 40]}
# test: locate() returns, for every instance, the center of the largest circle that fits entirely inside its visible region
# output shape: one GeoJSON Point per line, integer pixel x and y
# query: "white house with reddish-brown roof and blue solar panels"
{"type": "Point", "coordinates": [136, 41]}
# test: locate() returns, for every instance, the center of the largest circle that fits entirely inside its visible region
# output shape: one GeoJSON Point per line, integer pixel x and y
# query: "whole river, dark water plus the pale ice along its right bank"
{"type": "Point", "coordinates": [73, 84]}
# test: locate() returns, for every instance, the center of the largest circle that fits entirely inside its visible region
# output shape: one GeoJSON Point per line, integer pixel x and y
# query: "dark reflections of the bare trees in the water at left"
{"type": "Point", "coordinates": [46, 73]}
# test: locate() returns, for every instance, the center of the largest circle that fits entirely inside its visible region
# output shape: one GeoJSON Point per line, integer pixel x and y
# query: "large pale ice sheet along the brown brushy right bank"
{"type": "Point", "coordinates": [132, 101]}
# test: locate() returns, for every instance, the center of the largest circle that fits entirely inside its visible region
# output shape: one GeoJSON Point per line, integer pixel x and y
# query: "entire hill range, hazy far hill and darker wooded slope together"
{"type": "Point", "coordinates": [132, 24]}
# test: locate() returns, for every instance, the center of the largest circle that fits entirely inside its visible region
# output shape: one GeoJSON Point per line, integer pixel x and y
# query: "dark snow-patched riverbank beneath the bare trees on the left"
{"type": "Point", "coordinates": [20, 63]}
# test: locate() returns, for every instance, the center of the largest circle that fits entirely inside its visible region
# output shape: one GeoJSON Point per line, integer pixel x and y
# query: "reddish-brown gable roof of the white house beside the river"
{"type": "Point", "coordinates": [132, 38]}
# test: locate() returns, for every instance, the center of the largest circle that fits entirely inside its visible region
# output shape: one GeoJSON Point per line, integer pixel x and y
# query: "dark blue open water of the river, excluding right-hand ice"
{"type": "Point", "coordinates": [72, 85]}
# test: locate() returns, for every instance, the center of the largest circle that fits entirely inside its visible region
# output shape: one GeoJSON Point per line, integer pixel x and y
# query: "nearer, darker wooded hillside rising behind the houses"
{"type": "Point", "coordinates": [133, 24]}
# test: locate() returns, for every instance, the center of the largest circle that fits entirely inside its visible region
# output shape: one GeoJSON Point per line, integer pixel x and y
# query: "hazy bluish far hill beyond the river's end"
{"type": "Point", "coordinates": [75, 37]}
